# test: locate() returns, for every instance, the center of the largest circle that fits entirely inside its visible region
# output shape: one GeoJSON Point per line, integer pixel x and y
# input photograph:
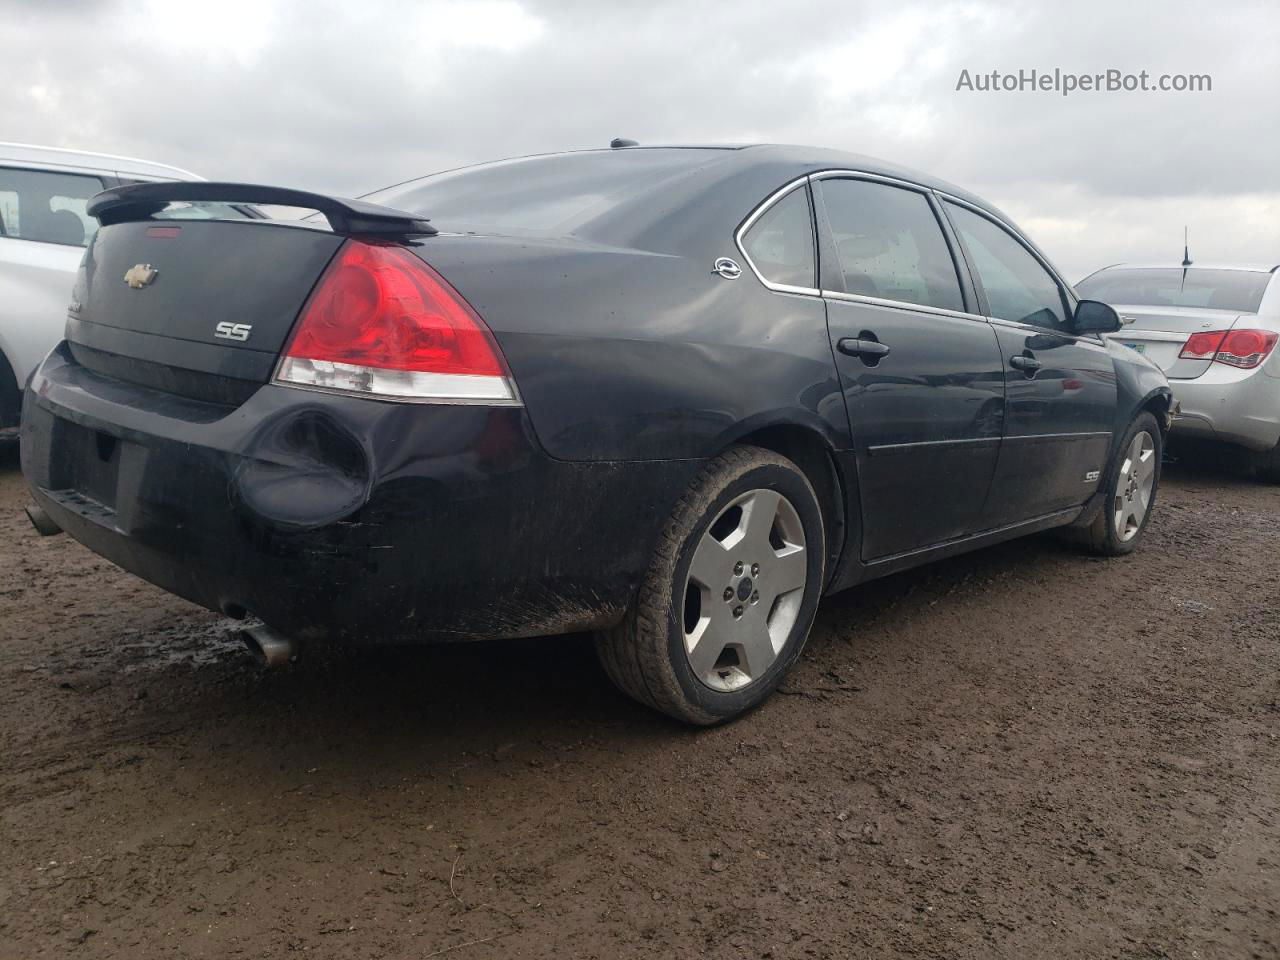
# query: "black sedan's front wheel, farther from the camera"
{"type": "Point", "coordinates": [1132, 483]}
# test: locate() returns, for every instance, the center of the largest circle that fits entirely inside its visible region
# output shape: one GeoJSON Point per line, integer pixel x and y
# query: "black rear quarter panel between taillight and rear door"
{"type": "Point", "coordinates": [636, 355]}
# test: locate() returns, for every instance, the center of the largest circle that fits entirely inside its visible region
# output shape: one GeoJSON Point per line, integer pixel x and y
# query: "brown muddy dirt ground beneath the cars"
{"type": "Point", "coordinates": [1022, 753]}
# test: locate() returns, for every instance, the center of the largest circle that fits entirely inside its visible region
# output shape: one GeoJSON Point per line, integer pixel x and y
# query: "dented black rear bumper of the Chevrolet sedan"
{"type": "Point", "coordinates": [341, 518]}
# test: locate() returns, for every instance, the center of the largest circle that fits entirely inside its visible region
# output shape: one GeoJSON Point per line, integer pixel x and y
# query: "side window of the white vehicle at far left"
{"type": "Point", "coordinates": [45, 207]}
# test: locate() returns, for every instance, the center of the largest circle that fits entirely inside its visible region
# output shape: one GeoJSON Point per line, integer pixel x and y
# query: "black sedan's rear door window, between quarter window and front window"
{"type": "Point", "coordinates": [890, 245]}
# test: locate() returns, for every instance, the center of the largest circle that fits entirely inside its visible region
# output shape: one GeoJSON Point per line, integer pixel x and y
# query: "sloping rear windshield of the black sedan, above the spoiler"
{"type": "Point", "coordinates": [540, 194]}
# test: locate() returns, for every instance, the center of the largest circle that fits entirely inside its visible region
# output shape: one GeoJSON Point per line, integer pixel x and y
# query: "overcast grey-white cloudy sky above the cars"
{"type": "Point", "coordinates": [350, 97]}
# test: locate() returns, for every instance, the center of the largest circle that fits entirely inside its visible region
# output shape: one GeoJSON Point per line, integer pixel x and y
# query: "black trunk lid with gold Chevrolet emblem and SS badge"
{"type": "Point", "coordinates": [200, 309]}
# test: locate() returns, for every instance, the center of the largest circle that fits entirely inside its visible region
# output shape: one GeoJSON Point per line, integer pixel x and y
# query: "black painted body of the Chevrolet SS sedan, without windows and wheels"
{"type": "Point", "coordinates": [171, 454]}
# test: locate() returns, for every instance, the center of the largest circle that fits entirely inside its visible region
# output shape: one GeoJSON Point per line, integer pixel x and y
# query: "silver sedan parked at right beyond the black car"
{"type": "Point", "coordinates": [1213, 331]}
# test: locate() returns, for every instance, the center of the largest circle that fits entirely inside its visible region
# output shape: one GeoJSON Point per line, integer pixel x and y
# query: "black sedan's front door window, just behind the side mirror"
{"type": "Point", "coordinates": [1017, 285]}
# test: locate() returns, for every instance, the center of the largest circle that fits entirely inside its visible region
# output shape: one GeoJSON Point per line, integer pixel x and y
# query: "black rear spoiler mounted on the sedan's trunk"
{"type": "Point", "coordinates": [346, 217]}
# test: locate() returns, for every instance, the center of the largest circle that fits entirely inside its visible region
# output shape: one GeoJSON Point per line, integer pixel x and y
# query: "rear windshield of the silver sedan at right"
{"type": "Point", "coordinates": [1240, 291]}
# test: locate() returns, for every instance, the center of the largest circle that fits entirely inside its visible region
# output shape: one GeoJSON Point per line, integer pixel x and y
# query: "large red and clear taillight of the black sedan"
{"type": "Point", "coordinates": [381, 322]}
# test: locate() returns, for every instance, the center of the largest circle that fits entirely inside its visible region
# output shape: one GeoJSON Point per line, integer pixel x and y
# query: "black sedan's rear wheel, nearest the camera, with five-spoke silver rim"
{"type": "Point", "coordinates": [729, 598]}
